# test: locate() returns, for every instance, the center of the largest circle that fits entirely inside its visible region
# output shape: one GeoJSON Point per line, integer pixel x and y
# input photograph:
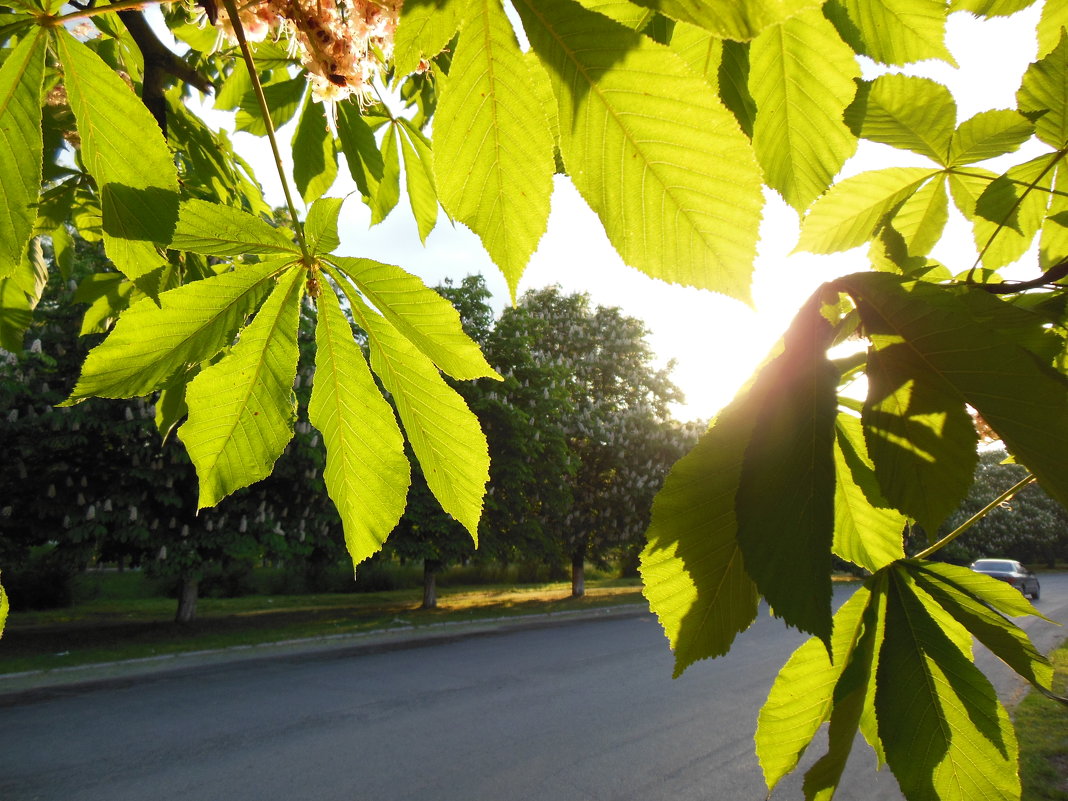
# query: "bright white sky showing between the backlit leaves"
{"type": "Point", "coordinates": [716, 342]}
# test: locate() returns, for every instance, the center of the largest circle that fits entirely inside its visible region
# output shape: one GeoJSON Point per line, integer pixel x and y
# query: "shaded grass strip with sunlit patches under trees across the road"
{"type": "Point", "coordinates": [107, 631]}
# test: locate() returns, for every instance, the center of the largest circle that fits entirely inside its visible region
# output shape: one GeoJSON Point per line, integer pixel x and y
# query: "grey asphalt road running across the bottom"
{"type": "Point", "coordinates": [574, 712]}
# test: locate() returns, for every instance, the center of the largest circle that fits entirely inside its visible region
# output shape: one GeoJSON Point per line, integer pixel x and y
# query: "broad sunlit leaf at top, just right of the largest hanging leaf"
{"type": "Point", "coordinates": [802, 77]}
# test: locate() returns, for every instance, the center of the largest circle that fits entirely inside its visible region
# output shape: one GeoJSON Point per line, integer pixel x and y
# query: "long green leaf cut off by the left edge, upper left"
{"type": "Point", "coordinates": [22, 77]}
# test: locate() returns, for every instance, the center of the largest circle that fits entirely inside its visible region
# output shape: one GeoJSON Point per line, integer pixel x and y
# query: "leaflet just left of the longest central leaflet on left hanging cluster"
{"type": "Point", "coordinates": [242, 410]}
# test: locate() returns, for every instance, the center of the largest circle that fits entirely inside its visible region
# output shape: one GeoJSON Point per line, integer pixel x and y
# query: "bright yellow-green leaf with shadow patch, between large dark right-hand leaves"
{"type": "Point", "coordinates": [867, 531]}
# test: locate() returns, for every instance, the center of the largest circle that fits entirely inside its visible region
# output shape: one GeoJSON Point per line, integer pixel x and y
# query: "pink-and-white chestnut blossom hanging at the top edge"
{"type": "Point", "coordinates": [343, 44]}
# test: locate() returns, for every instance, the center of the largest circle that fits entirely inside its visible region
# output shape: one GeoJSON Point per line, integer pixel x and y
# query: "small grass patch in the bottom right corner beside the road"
{"type": "Point", "coordinates": [1042, 728]}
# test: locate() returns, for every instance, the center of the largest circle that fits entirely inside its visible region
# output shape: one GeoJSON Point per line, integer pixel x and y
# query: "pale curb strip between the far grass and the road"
{"type": "Point", "coordinates": [30, 686]}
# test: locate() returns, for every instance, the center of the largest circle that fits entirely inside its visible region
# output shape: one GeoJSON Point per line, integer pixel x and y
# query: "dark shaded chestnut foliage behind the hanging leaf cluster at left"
{"type": "Point", "coordinates": [95, 480]}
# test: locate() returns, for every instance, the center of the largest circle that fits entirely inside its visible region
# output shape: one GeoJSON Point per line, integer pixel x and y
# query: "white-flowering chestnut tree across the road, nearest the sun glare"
{"type": "Point", "coordinates": [618, 405]}
